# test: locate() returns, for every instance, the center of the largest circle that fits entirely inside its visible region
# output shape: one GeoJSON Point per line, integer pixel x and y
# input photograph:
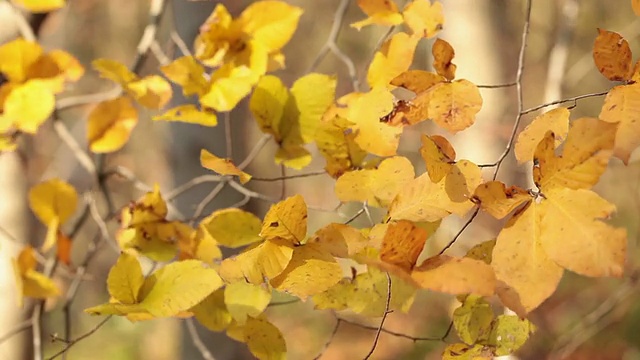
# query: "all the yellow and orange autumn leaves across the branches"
{"type": "Point", "coordinates": [559, 224]}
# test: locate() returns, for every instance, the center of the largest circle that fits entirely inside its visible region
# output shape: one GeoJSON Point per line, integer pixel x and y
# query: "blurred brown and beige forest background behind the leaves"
{"type": "Point", "coordinates": [585, 319]}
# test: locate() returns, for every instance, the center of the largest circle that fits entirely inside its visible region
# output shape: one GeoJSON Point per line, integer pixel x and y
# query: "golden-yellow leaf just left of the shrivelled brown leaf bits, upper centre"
{"type": "Point", "coordinates": [372, 135]}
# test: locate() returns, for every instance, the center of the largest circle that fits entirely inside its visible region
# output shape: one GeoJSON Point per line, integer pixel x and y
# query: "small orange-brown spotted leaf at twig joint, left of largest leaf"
{"type": "Point", "coordinates": [494, 198]}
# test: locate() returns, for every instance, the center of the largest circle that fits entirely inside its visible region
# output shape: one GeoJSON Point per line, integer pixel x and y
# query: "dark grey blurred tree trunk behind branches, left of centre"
{"type": "Point", "coordinates": [186, 142]}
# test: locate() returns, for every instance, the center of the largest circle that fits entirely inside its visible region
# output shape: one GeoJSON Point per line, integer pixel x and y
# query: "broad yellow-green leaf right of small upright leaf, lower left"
{"type": "Point", "coordinates": [180, 286]}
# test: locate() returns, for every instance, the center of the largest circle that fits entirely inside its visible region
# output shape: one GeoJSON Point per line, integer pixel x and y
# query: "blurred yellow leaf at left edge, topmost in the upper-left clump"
{"type": "Point", "coordinates": [17, 57]}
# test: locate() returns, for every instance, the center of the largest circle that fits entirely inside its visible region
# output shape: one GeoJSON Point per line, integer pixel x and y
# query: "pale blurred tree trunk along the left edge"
{"type": "Point", "coordinates": [13, 220]}
